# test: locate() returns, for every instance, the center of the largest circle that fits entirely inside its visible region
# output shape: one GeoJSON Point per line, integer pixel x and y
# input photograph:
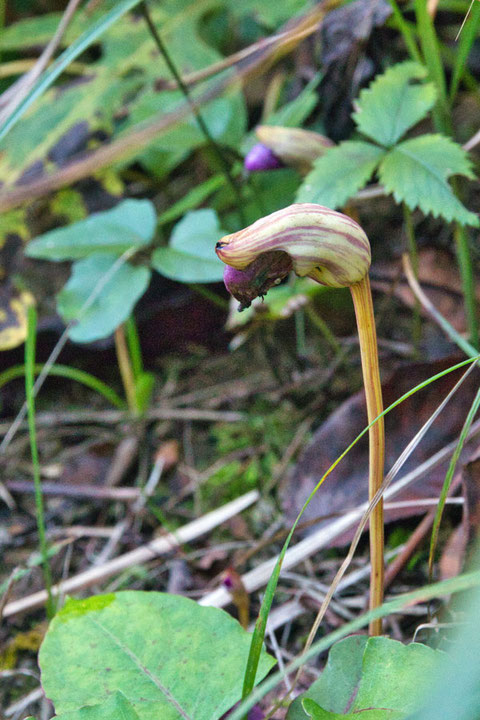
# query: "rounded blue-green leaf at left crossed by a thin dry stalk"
{"type": "Point", "coordinates": [114, 303]}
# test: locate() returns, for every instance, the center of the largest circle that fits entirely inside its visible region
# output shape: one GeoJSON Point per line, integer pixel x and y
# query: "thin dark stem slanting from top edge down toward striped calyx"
{"type": "Point", "coordinates": [195, 111]}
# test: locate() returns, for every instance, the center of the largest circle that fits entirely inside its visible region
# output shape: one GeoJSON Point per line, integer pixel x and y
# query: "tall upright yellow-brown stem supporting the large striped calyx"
{"type": "Point", "coordinates": [362, 300]}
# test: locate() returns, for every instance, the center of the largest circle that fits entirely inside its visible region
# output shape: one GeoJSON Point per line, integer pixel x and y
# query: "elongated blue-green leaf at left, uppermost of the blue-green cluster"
{"type": "Point", "coordinates": [129, 224]}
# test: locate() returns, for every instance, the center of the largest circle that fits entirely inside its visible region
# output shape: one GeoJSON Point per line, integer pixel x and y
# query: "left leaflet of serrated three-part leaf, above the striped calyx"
{"type": "Point", "coordinates": [338, 174]}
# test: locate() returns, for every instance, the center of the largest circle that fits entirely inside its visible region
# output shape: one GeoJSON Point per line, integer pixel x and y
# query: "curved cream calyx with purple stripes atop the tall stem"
{"type": "Point", "coordinates": [325, 245]}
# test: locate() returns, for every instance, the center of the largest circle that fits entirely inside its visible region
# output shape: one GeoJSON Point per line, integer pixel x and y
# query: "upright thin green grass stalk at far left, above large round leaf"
{"type": "Point", "coordinates": [39, 507]}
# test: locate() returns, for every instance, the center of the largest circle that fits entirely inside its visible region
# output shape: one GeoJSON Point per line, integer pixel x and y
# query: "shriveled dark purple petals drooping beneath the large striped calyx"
{"type": "Point", "coordinates": [257, 278]}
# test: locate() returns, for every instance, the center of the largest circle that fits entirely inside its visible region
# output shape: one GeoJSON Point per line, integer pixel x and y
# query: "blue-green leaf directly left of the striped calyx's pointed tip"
{"type": "Point", "coordinates": [190, 255]}
